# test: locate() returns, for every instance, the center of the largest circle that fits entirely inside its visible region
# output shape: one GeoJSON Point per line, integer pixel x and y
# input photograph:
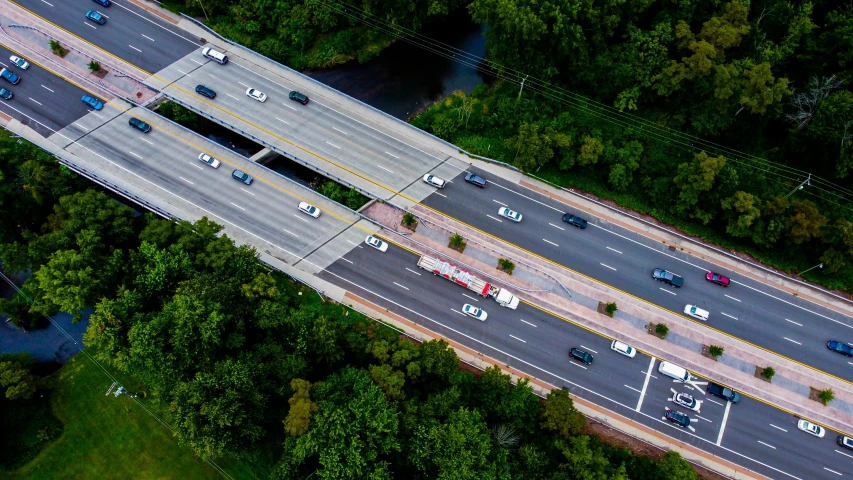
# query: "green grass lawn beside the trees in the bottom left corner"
{"type": "Point", "coordinates": [108, 437]}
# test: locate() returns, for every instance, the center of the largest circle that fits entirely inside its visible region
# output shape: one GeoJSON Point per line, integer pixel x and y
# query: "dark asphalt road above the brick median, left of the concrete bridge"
{"type": "Point", "coordinates": [121, 35]}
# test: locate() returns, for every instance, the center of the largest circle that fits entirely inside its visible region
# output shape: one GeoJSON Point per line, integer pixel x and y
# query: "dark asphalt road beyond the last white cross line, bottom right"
{"type": "Point", "coordinates": [760, 431]}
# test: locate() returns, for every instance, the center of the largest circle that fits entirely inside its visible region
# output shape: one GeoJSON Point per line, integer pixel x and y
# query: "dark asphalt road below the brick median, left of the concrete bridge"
{"type": "Point", "coordinates": [41, 98]}
